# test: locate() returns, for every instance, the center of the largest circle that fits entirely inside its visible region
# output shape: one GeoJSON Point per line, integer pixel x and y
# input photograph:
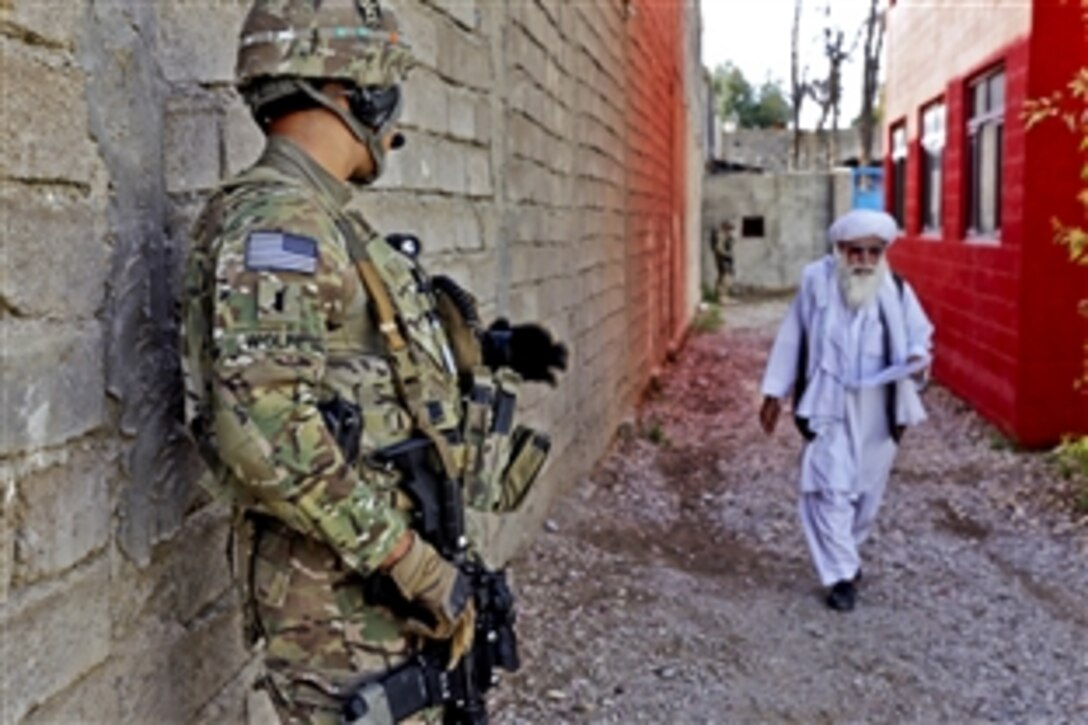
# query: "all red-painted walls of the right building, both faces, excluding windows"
{"type": "Point", "coordinates": [1009, 338]}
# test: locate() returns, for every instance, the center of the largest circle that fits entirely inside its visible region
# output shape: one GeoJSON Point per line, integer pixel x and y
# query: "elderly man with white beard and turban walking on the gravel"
{"type": "Point", "coordinates": [851, 348]}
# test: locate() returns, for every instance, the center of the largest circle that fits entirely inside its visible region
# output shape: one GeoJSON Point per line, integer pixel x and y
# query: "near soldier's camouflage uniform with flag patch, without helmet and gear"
{"type": "Point", "coordinates": [276, 323]}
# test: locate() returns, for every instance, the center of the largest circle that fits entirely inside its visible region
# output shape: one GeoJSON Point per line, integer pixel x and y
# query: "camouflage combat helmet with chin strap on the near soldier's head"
{"type": "Point", "coordinates": [292, 47]}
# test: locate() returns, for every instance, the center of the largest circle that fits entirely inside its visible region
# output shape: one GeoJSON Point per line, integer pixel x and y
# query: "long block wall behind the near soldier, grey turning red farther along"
{"type": "Point", "coordinates": [553, 167]}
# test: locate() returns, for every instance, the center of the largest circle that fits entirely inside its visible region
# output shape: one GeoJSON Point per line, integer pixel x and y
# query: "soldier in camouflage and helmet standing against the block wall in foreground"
{"type": "Point", "coordinates": [312, 345]}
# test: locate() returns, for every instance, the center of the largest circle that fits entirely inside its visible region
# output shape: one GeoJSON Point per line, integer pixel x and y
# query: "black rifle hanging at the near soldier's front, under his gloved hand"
{"type": "Point", "coordinates": [424, 682]}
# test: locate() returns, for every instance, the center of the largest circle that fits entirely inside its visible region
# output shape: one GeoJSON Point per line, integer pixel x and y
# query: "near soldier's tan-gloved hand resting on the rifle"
{"type": "Point", "coordinates": [429, 581]}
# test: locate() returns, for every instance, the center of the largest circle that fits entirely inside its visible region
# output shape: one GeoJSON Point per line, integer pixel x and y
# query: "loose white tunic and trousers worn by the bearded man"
{"type": "Point", "coordinates": [846, 468]}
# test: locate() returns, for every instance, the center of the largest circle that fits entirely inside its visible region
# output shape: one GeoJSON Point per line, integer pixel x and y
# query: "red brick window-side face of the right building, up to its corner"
{"type": "Point", "coordinates": [971, 288]}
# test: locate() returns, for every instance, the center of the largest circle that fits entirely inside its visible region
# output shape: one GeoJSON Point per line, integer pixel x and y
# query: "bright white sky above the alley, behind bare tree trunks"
{"type": "Point", "coordinates": [756, 36]}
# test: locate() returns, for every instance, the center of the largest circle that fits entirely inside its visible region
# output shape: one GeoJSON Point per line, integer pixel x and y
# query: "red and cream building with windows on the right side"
{"type": "Point", "coordinates": [975, 192]}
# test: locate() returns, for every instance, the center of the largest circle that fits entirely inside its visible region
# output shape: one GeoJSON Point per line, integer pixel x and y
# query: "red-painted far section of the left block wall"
{"type": "Point", "coordinates": [657, 177]}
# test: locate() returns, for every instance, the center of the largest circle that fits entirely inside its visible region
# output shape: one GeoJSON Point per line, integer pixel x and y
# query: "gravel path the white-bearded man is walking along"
{"type": "Point", "coordinates": [673, 585]}
